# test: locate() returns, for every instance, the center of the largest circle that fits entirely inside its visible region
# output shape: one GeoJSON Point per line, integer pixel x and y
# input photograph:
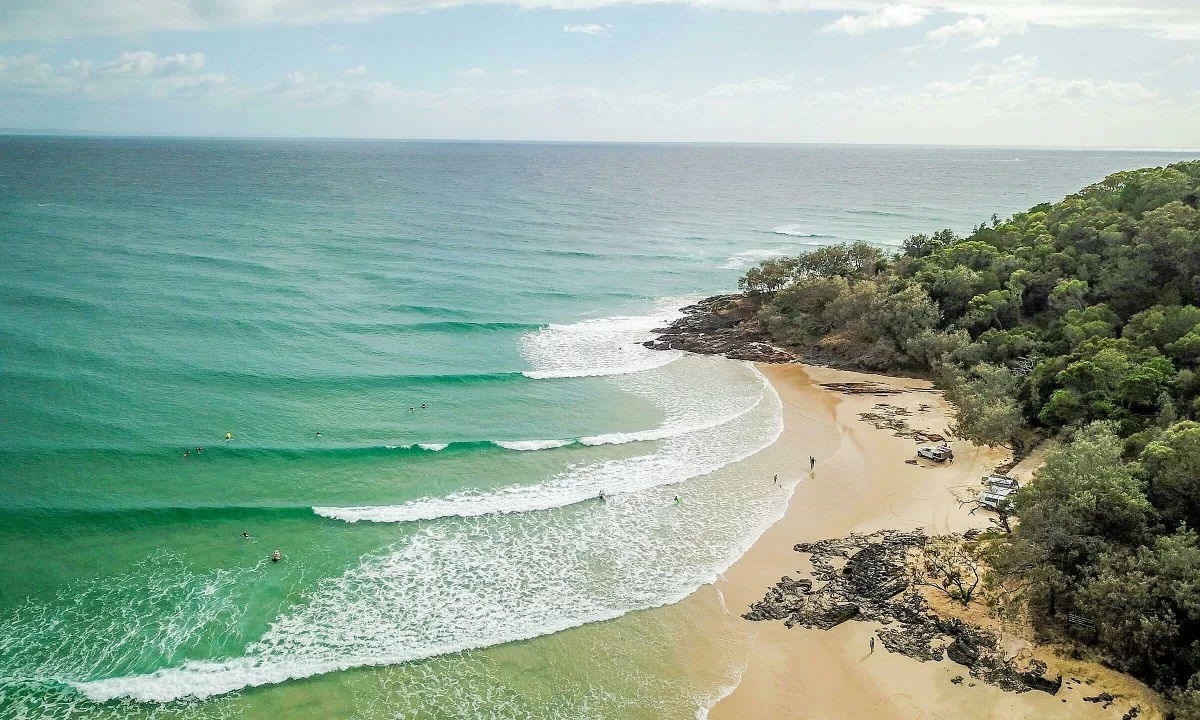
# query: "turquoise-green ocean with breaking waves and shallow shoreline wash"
{"type": "Point", "coordinates": [461, 325]}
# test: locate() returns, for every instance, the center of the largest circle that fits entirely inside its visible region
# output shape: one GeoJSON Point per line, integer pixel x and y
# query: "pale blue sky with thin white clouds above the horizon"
{"type": "Point", "coordinates": [977, 73]}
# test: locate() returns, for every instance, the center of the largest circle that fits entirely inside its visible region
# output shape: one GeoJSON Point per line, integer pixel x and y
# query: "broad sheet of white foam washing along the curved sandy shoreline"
{"type": "Point", "coordinates": [473, 583]}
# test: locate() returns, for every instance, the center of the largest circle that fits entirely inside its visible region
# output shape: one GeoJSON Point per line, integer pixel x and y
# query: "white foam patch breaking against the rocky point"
{"type": "Point", "coordinates": [599, 347]}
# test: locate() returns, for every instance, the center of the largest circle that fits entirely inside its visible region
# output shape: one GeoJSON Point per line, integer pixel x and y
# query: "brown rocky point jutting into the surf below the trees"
{"type": "Point", "coordinates": [721, 326]}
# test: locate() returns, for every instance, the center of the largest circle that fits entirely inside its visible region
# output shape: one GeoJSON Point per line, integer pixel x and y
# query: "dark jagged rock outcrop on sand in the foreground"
{"type": "Point", "coordinates": [866, 578]}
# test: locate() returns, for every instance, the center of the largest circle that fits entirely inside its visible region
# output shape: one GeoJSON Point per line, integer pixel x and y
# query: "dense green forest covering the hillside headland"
{"type": "Point", "coordinates": [1078, 321]}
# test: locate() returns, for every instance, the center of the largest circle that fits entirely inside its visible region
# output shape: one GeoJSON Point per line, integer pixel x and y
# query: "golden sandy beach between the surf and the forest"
{"type": "Point", "coordinates": [861, 484]}
